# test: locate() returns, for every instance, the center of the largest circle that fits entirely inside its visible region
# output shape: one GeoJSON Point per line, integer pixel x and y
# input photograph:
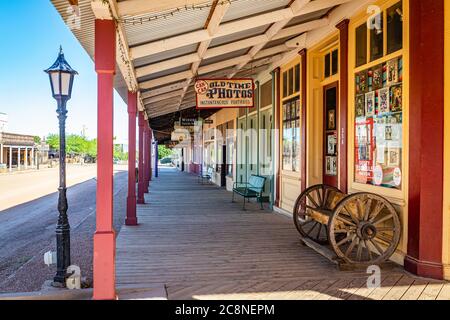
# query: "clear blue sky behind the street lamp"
{"type": "Point", "coordinates": [31, 32]}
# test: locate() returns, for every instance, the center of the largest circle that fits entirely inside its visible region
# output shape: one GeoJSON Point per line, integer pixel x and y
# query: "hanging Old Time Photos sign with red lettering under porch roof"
{"type": "Point", "coordinates": [225, 93]}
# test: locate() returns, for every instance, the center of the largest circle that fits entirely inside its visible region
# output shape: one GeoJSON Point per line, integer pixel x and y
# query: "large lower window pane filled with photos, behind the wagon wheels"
{"type": "Point", "coordinates": [378, 124]}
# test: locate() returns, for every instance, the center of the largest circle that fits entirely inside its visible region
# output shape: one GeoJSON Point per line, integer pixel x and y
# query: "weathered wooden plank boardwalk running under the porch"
{"type": "Point", "coordinates": [193, 240]}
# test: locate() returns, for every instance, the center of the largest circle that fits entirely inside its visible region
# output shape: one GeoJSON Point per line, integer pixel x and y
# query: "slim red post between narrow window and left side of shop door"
{"type": "Point", "coordinates": [303, 55]}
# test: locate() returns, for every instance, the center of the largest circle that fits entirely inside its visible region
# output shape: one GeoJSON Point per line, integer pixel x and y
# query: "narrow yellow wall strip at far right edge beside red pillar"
{"type": "Point", "coordinates": [446, 204]}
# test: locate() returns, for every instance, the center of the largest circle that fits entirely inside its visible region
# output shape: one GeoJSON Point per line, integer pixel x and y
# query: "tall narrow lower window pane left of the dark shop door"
{"type": "Point", "coordinates": [291, 135]}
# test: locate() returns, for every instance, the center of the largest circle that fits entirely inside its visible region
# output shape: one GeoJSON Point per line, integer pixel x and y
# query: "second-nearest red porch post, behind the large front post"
{"type": "Point", "coordinates": [131, 200]}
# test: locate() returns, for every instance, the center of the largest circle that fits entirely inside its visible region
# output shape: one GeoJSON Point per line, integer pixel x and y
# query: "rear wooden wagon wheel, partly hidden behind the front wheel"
{"type": "Point", "coordinates": [315, 197]}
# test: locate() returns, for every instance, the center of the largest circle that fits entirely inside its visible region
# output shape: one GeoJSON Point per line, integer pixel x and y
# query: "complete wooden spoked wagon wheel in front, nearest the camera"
{"type": "Point", "coordinates": [364, 229]}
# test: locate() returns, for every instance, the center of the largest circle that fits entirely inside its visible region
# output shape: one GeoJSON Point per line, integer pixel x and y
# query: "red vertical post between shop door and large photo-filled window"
{"type": "Point", "coordinates": [343, 104]}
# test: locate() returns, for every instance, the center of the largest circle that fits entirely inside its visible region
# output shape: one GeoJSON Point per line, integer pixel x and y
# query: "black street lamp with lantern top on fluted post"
{"type": "Point", "coordinates": [61, 77]}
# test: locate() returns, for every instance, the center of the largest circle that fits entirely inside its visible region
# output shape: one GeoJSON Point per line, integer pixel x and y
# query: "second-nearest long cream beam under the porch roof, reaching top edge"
{"type": "Point", "coordinates": [230, 28]}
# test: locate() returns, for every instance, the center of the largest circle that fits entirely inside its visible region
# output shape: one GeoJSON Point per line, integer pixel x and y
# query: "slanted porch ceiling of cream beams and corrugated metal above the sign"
{"type": "Point", "coordinates": [172, 43]}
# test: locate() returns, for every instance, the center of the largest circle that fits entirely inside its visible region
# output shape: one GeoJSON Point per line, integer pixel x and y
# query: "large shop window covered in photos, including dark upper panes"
{"type": "Point", "coordinates": [379, 106]}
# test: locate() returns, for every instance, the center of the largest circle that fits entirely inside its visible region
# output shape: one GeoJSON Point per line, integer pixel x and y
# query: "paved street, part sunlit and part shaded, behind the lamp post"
{"type": "Point", "coordinates": [27, 227]}
